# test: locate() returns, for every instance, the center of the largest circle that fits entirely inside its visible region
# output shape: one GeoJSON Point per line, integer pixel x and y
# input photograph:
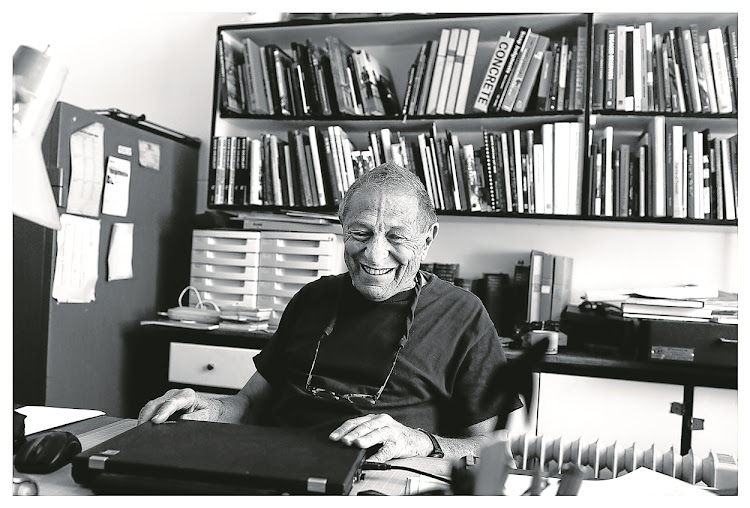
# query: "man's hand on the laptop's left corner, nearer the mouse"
{"type": "Point", "coordinates": [195, 407]}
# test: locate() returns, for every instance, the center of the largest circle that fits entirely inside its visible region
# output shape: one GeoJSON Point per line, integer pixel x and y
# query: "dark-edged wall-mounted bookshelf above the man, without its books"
{"type": "Point", "coordinates": [395, 43]}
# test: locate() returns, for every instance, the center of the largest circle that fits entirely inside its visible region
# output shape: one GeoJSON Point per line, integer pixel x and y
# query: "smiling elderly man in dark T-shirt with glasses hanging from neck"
{"type": "Point", "coordinates": [382, 355]}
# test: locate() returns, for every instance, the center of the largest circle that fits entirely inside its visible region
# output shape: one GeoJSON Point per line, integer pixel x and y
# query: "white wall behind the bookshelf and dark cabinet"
{"type": "Point", "coordinates": [161, 64]}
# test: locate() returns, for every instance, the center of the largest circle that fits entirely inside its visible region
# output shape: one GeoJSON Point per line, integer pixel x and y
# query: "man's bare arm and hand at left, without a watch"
{"type": "Point", "coordinates": [241, 407]}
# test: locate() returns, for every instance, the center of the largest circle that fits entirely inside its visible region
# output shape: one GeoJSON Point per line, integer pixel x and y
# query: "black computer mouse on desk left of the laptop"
{"type": "Point", "coordinates": [47, 452]}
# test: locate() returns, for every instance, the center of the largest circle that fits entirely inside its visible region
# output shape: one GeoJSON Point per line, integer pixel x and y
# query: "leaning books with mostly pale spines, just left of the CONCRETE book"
{"type": "Point", "coordinates": [439, 79]}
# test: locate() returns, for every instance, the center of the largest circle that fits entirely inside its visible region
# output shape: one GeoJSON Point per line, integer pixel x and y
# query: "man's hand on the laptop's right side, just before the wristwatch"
{"type": "Point", "coordinates": [398, 440]}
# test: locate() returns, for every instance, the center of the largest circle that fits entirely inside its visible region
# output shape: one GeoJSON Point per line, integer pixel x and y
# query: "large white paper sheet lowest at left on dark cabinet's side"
{"type": "Point", "coordinates": [77, 263]}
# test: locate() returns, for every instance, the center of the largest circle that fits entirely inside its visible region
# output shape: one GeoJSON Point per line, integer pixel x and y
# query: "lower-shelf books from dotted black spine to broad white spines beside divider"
{"type": "Point", "coordinates": [533, 171]}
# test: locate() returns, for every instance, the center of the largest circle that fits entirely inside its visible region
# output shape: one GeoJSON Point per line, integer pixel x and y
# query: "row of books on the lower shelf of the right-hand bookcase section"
{"type": "Point", "coordinates": [673, 171]}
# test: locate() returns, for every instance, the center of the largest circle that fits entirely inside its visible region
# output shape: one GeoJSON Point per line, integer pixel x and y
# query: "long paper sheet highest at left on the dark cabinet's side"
{"type": "Point", "coordinates": [86, 170]}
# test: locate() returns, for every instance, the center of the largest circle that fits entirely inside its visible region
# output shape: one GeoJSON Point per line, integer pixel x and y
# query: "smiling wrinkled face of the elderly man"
{"type": "Point", "coordinates": [384, 243]}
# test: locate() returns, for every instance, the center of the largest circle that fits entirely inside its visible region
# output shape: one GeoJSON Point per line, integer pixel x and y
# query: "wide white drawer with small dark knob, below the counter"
{"type": "Point", "coordinates": [217, 366]}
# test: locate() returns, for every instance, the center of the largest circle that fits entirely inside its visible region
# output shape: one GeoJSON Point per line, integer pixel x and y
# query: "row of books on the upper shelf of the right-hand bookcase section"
{"type": "Point", "coordinates": [681, 70]}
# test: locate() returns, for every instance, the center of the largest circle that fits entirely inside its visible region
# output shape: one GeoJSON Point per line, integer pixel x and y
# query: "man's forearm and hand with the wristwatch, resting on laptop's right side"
{"type": "Point", "coordinates": [401, 441]}
